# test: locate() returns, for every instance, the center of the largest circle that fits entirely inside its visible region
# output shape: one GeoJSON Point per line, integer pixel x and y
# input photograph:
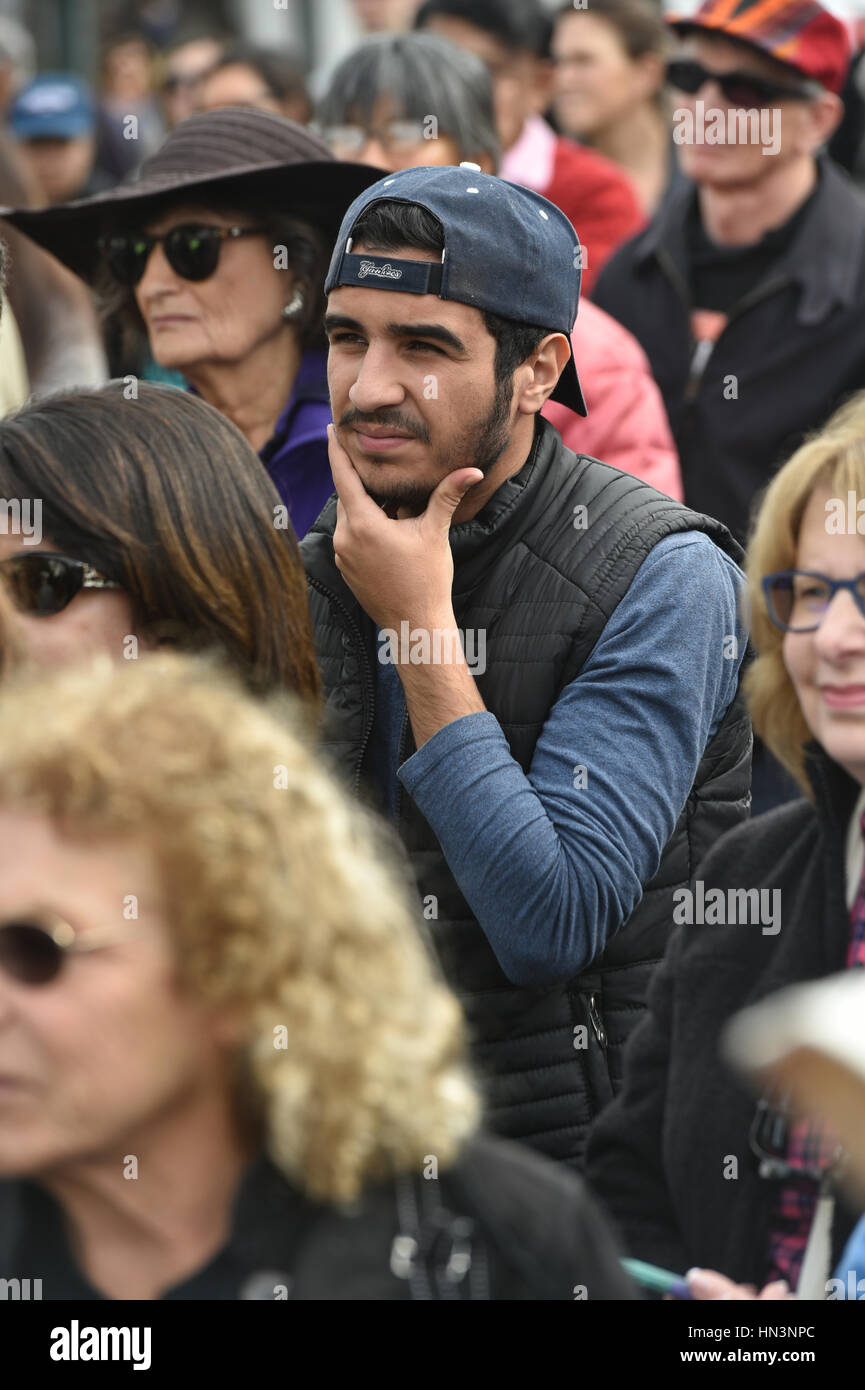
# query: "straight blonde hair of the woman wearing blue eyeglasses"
{"type": "Point", "coordinates": [834, 459]}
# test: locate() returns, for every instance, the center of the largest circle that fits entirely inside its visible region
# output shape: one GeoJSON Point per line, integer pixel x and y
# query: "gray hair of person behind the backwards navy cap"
{"type": "Point", "coordinates": [422, 76]}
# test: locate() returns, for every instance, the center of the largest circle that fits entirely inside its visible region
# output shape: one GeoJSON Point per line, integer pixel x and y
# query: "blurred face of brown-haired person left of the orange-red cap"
{"type": "Point", "coordinates": [596, 81]}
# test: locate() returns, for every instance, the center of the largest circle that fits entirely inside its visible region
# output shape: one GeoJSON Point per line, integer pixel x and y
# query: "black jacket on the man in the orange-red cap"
{"type": "Point", "coordinates": [796, 344]}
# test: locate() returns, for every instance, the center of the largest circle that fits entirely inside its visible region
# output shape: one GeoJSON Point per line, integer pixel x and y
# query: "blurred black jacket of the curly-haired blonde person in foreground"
{"type": "Point", "coordinates": [526, 1229]}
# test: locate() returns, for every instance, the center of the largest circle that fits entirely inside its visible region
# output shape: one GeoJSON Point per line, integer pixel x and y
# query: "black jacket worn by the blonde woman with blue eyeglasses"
{"type": "Point", "coordinates": [658, 1156]}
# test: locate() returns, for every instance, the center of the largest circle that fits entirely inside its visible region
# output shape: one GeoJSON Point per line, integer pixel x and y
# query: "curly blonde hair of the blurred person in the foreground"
{"type": "Point", "coordinates": [282, 904]}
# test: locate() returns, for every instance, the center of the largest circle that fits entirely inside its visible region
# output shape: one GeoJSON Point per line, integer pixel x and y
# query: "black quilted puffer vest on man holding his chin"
{"type": "Point", "coordinates": [543, 589]}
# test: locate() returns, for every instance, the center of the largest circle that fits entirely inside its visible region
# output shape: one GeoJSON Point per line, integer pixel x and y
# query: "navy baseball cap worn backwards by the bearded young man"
{"type": "Point", "coordinates": [506, 250]}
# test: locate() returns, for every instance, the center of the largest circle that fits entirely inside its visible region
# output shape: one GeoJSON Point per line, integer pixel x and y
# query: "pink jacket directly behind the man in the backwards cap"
{"type": "Point", "coordinates": [626, 423]}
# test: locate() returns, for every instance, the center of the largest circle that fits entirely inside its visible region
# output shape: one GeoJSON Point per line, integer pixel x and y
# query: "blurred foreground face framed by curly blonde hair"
{"type": "Point", "coordinates": [99, 1058]}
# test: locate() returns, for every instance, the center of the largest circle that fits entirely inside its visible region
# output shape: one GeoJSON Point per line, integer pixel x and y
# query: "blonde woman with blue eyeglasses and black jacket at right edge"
{"type": "Point", "coordinates": [700, 1177]}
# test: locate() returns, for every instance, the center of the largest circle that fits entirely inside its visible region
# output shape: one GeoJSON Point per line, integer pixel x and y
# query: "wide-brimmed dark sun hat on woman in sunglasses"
{"type": "Point", "coordinates": [233, 149]}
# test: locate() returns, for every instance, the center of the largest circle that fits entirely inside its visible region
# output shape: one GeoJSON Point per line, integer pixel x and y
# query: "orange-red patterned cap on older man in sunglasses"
{"type": "Point", "coordinates": [798, 33]}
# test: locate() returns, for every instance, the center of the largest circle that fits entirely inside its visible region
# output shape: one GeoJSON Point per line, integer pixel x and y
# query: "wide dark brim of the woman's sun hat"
{"type": "Point", "coordinates": [72, 231]}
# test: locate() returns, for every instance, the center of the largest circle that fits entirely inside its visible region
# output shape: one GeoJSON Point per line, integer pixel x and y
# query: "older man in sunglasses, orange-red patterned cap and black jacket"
{"type": "Point", "coordinates": [747, 291]}
